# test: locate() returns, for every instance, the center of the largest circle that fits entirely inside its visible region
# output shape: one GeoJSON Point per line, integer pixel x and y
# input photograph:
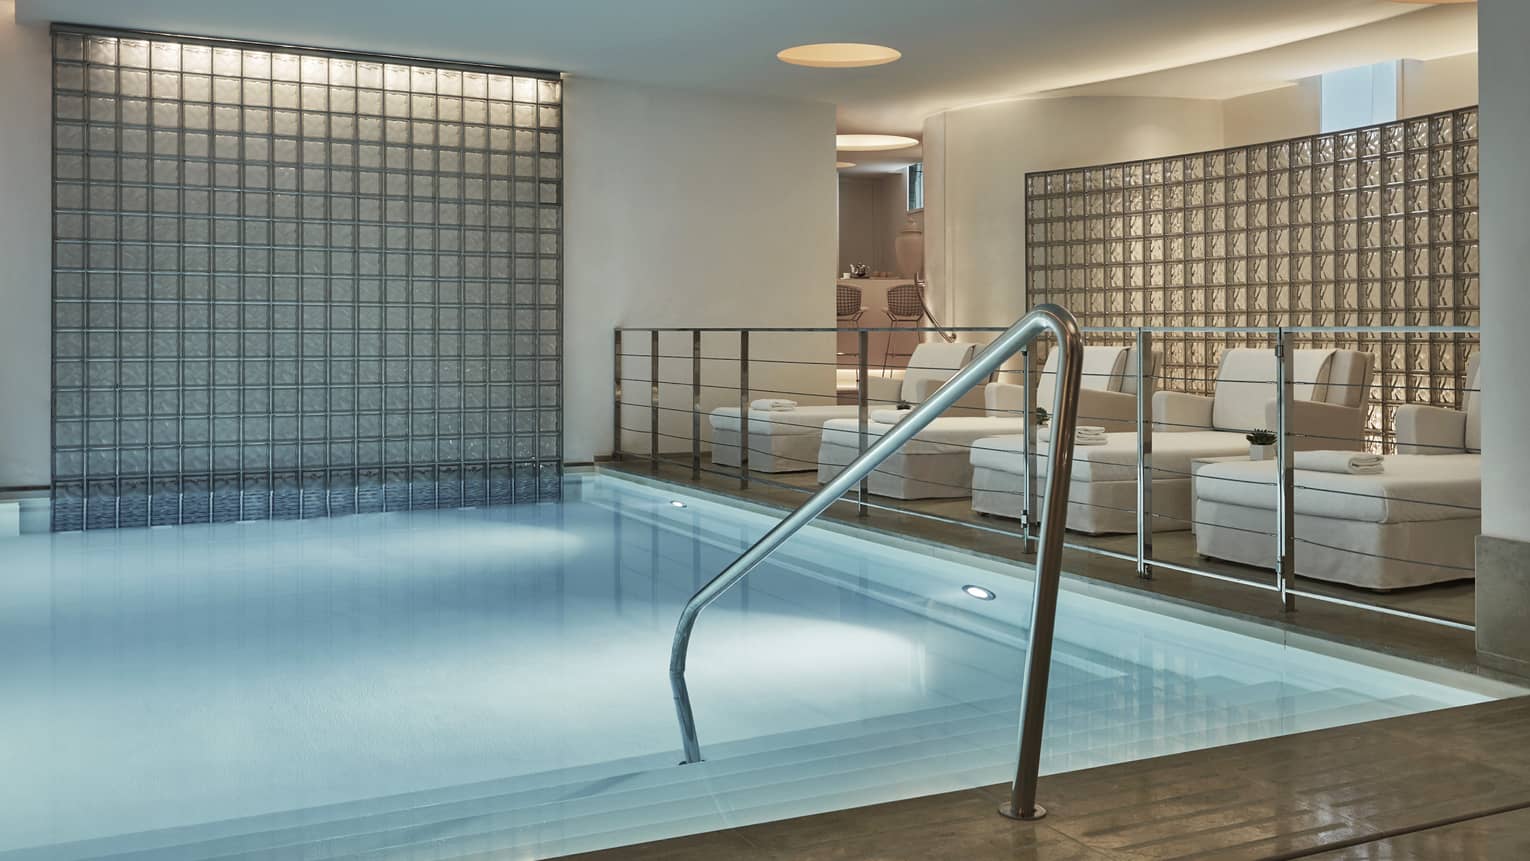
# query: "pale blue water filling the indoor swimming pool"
{"type": "Point", "coordinates": [495, 680]}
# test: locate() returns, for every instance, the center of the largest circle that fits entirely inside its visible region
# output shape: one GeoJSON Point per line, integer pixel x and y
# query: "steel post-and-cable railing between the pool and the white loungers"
{"type": "Point", "coordinates": [1283, 585]}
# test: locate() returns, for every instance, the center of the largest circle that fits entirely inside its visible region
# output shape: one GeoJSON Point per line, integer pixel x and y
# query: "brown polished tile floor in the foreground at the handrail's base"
{"type": "Point", "coordinates": [1373, 791]}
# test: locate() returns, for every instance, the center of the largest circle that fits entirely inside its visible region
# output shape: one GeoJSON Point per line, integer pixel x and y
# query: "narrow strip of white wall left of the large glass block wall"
{"type": "Point", "coordinates": [25, 255]}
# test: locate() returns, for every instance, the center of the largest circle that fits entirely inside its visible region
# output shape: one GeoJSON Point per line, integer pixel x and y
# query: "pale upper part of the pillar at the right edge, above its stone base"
{"type": "Point", "coordinates": [1506, 265]}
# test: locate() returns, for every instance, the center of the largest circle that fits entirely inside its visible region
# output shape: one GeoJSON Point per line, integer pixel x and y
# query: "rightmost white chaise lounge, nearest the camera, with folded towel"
{"type": "Point", "coordinates": [1413, 524]}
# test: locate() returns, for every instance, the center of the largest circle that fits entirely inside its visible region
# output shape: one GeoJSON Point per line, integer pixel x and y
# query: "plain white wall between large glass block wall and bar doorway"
{"type": "Point", "coordinates": [688, 209]}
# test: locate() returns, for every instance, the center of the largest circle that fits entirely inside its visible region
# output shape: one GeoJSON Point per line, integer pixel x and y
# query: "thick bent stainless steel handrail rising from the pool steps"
{"type": "Point", "coordinates": [1049, 556]}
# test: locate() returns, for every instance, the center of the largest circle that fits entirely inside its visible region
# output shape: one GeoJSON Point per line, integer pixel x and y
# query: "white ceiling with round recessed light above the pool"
{"type": "Point", "coordinates": [955, 53]}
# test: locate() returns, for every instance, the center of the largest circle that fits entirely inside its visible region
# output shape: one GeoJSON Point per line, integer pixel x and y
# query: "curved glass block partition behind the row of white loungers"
{"type": "Point", "coordinates": [1370, 227]}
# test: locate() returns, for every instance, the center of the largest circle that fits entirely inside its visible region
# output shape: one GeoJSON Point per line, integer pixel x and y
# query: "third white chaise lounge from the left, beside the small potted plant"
{"type": "Point", "coordinates": [1330, 414]}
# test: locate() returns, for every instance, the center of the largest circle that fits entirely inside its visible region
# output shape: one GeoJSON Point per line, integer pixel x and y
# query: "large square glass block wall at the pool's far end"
{"type": "Point", "coordinates": [293, 284]}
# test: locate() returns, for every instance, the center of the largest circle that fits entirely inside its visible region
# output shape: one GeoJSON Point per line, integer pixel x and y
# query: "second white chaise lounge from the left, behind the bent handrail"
{"type": "Point", "coordinates": [937, 464]}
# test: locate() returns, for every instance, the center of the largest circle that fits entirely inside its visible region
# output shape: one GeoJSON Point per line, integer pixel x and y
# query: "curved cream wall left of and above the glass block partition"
{"type": "Point", "coordinates": [975, 166]}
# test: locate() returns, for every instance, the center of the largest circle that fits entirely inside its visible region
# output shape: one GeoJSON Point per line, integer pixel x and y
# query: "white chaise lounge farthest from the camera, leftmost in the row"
{"type": "Point", "coordinates": [787, 441]}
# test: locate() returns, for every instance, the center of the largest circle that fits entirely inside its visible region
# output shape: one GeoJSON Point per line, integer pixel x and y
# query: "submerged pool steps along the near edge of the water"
{"type": "Point", "coordinates": [757, 781]}
